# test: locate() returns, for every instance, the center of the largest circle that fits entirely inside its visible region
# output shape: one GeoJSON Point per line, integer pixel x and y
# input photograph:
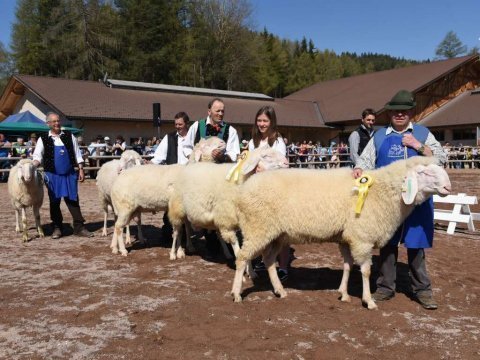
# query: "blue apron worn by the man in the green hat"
{"type": "Point", "coordinates": [417, 230]}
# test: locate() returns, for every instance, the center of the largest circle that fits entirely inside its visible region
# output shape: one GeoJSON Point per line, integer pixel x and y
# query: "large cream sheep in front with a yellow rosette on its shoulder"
{"type": "Point", "coordinates": [268, 222]}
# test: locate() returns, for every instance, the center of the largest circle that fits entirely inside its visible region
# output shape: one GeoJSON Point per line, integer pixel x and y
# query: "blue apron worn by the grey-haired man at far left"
{"type": "Point", "coordinates": [62, 183]}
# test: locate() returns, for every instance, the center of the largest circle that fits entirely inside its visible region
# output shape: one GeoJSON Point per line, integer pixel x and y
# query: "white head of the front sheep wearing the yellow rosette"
{"type": "Point", "coordinates": [424, 179]}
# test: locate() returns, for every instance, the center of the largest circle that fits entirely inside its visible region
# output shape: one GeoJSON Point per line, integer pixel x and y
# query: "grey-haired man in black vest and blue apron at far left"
{"type": "Point", "coordinates": [59, 152]}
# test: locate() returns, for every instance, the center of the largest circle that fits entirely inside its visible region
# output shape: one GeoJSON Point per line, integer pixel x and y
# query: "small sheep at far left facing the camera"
{"type": "Point", "coordinates": [25, 187]}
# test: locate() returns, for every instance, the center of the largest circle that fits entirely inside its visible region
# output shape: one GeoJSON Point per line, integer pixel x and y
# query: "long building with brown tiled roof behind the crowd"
{"type": "Point", "coordinates": [446, 92]}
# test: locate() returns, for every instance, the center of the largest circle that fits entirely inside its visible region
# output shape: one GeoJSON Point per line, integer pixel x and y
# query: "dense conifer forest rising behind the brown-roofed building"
{"type": "Point", "coordinates": [202, 43]}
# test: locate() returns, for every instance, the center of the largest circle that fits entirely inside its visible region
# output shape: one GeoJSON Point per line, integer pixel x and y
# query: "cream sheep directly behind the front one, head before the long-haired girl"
{"type": "Point", "coordinates": [210, 203]}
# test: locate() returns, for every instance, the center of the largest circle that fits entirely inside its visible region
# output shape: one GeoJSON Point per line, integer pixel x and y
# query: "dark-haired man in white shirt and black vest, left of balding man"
{"type": "Point", "coordinates": [170, 149]}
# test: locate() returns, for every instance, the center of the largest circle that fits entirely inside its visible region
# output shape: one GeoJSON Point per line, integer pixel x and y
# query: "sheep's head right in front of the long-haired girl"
{"type": "Point", "coordinates": [264, 159]}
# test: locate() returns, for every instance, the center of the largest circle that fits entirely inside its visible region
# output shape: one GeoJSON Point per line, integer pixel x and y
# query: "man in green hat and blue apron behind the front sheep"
{"type": "Point", "coordinates": [403, 139]}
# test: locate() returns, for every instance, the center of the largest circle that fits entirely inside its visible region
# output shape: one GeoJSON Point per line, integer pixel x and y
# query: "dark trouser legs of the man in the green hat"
{"type": "Point", "coordinates": [388, 270]}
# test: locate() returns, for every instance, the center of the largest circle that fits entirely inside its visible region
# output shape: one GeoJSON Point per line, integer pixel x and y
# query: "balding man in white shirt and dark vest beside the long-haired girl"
{"type": "Point", "coordinates": [214, 125]}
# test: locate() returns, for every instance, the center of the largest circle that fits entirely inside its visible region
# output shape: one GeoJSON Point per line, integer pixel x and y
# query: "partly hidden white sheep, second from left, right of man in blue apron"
{"type": "Point", "coordinates": [105, 178]}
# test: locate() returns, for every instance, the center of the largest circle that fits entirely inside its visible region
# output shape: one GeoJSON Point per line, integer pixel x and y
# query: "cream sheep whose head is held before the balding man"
{"type": "Point", "coordinates": [148, 189]}
